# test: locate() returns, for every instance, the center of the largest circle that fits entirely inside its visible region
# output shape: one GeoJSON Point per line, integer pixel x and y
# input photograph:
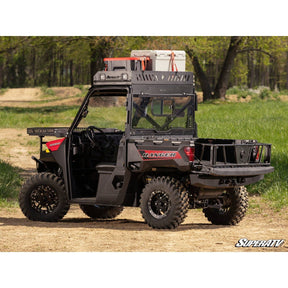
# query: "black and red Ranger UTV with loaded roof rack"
{"type": "Point", "coordinates": [157, 162]}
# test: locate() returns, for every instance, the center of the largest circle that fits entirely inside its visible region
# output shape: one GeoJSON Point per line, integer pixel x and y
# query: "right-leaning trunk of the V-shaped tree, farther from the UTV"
{"type": "Point", "coordinates": [223, 80]}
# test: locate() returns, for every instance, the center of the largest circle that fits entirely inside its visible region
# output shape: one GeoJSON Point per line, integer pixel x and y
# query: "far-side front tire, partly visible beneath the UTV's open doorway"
{"type": "Point", "coordinates": [101, 212]}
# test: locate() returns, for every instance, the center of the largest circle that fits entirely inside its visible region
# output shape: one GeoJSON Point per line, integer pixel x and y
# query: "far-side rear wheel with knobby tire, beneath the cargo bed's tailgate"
{"type": "Point", "coordinates": [232, 208]}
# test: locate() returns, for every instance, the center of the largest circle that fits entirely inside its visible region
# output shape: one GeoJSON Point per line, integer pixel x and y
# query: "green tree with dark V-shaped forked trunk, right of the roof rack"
{"type": "Point", "coordinates": [203, 49]}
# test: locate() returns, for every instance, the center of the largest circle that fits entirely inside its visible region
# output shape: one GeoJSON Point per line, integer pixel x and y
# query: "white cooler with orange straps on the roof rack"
{"type": "Point", "coordinates": [162, 60]}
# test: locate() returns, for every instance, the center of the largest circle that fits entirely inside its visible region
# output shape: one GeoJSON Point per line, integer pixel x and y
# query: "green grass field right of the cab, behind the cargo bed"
{"type": "Point", "coordinates": [265, 121]}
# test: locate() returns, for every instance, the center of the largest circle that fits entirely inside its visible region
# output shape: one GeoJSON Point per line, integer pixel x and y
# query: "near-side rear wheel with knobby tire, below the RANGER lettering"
{"type": "Point", "coordinates": [164, 203]}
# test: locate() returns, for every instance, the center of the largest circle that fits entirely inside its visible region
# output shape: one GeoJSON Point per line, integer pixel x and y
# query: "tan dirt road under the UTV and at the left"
{"type": "Point", "coordinates": [128, 232]}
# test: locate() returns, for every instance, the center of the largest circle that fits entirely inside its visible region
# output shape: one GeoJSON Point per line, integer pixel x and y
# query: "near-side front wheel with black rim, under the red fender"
{"type": "Point", "coordinates": [43, 198]}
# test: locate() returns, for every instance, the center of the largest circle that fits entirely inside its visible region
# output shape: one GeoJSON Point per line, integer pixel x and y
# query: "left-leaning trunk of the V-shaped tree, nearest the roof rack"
{"type": "Point", "coordinates": [201, 75]}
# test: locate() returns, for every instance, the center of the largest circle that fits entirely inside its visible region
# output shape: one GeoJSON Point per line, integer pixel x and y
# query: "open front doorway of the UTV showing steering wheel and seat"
{"type": "Point", "coordinates": [96, 156]}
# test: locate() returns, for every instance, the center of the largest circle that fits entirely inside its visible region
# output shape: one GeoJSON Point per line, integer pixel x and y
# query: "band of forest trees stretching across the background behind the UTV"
{"type": "Point", "coordinates": [219, 62]}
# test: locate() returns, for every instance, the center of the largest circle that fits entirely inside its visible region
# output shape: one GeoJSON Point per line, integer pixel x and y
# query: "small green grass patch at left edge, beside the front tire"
{"type": "Point", "coordinates": [10, 182]}
